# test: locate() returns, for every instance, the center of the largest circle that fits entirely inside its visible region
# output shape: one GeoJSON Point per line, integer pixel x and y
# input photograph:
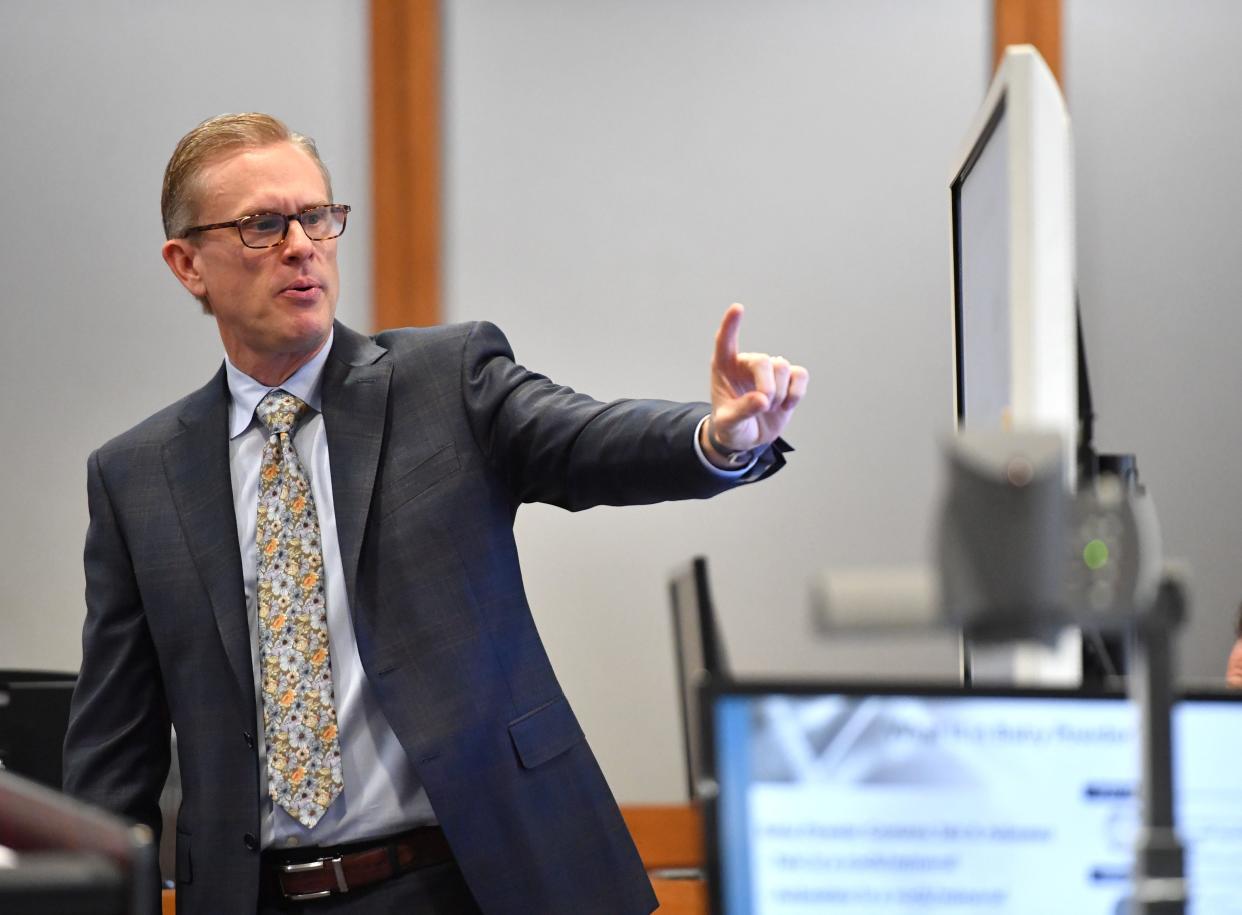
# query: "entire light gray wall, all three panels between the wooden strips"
{"type": "Point", "coordinates": [617, 176]}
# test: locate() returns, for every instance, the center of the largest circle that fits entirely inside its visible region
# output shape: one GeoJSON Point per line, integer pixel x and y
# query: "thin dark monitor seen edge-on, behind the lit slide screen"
{"type": "Point", "coordinates": [700, 652]}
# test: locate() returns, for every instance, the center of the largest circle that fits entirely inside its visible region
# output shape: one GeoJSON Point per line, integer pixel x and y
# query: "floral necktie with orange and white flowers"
{"type": "Point", "coordinates": [300, 718]}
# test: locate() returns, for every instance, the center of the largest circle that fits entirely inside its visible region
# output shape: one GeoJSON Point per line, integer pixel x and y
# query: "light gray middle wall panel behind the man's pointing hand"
{"type": "Point", "coordinates": [618, 174]}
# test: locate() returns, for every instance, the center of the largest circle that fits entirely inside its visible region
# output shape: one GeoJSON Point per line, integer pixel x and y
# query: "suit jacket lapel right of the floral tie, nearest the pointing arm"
{"type": "Point", "coordinates": [356, 389]}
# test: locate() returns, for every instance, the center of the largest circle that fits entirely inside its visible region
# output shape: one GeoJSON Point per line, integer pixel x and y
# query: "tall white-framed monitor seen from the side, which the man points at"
{"type": "Point", "coordinates": [1014, 309]}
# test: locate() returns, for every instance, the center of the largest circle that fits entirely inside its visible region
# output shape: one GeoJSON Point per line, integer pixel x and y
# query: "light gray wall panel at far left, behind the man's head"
{"type": "Point", "coordinates": [97, 333]}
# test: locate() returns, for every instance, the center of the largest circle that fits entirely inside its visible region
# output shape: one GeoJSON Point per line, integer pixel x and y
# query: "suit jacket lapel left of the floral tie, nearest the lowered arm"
{"type": "Point", "coordinates": [197, 466]}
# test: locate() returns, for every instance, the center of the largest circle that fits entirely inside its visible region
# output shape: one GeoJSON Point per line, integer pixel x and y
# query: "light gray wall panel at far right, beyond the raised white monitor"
{"type": "Point", "coordinates": [1154, 92]}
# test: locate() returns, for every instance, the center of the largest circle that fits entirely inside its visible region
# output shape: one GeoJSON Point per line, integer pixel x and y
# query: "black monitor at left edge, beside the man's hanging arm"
{"type": "Point", "coordinates": [34, 716]}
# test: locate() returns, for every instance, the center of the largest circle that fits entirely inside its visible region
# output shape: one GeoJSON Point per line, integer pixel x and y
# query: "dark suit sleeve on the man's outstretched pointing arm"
{"type": "Point", "coordinates": [557, 446]}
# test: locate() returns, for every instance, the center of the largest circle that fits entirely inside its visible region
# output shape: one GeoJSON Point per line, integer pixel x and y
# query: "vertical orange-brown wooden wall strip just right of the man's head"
{"type": "Point", "coordinates": [406, 162]}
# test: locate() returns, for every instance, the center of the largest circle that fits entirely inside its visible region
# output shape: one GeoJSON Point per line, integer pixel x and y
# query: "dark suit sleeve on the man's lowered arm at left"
{"type": "Point", "coordinates": [117, 748]}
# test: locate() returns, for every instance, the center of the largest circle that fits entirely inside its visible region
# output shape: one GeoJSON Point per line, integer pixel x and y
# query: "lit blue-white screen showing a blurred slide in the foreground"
{"type": "Point", "coordinates": [863, 800]}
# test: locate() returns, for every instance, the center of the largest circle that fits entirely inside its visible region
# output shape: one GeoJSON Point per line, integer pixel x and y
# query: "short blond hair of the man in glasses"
{"type": "Point", "coordinates": [209, 141]}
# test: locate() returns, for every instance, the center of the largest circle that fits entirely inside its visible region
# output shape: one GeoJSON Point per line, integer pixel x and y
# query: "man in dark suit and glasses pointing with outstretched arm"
{"type": "Point", "coordinates": [309, 568]}
